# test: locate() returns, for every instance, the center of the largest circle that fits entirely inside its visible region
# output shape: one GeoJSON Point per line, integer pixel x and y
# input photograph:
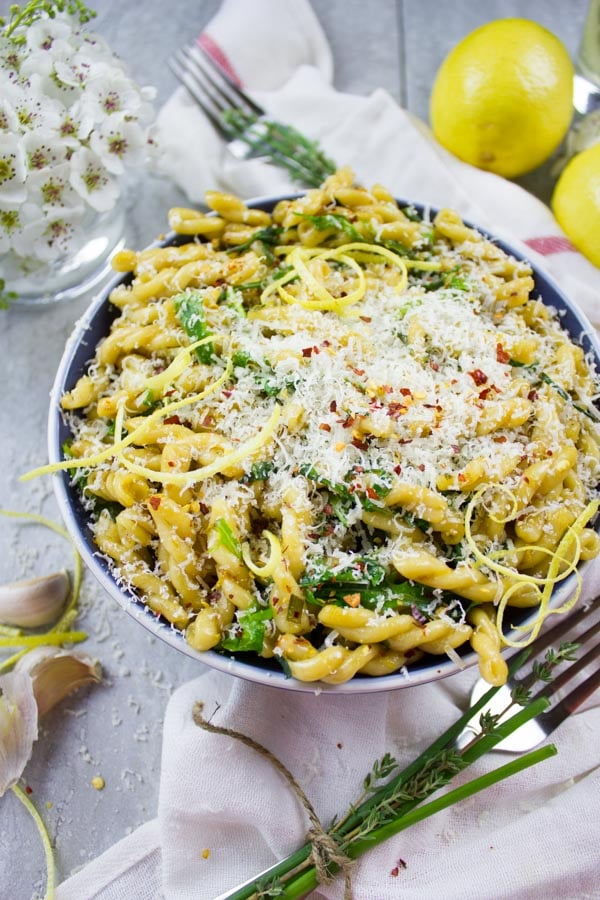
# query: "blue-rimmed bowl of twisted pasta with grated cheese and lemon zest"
{"type": "Point", "coordinates": [331, 441]}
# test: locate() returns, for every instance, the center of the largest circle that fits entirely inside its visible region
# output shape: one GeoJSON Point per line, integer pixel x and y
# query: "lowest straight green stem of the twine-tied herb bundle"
{"type": "Point", "coordinates": [301, 884]}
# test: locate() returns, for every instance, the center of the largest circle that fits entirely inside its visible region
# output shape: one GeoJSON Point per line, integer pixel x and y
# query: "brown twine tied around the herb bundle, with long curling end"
{"type": "Point", "coordinates": [325, 849]}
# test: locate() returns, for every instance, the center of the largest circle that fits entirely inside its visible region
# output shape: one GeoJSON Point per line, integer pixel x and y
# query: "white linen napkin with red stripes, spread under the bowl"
{"type": "Point", "coordinates": [224, 813]}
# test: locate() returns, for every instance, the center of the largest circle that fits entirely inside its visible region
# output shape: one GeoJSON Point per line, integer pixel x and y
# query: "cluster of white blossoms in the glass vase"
{"type": "Point", "coordinates": [71, 122]}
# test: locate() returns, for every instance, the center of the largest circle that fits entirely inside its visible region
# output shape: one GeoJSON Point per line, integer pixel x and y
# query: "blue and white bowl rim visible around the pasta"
{"type": "Point", "coordinates": [79, 349]}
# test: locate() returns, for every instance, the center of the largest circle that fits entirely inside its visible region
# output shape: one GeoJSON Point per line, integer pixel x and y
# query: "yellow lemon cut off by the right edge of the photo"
{"type": "Point", "coordinates": [576, 202]}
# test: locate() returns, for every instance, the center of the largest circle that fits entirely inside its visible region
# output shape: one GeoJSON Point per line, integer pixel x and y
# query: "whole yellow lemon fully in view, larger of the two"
{"type": "Point", "coordinates": [502, 99]}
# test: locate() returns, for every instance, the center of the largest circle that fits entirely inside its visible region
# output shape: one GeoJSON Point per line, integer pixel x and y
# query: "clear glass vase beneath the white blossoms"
{"type": "Point", "coordinates": [84, 266]}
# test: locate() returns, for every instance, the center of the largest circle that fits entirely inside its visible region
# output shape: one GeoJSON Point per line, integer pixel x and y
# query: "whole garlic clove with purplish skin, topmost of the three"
{"type": "Point", "coordinates": [35, 601]}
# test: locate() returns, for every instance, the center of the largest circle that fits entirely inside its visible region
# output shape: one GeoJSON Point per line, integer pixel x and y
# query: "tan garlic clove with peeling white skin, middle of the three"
{"type": "Point", "coordinates": [55, 673]}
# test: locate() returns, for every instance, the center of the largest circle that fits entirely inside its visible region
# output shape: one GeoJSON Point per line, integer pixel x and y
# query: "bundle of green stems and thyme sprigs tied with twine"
{"type": "Point", "coordinates": [393, 799]}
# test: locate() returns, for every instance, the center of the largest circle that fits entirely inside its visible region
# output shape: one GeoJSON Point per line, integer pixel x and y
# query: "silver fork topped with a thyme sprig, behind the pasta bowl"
{"type": "Point", "coordinates": [243, 123]}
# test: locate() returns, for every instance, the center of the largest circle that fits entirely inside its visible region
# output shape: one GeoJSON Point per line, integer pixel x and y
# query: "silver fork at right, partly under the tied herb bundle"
{"type": "Point", "coordinates": [537, 730]}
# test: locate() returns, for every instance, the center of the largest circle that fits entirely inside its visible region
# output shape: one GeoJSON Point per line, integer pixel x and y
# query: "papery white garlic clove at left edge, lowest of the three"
{"type": "Point", "coordinates": [18, 726]}
